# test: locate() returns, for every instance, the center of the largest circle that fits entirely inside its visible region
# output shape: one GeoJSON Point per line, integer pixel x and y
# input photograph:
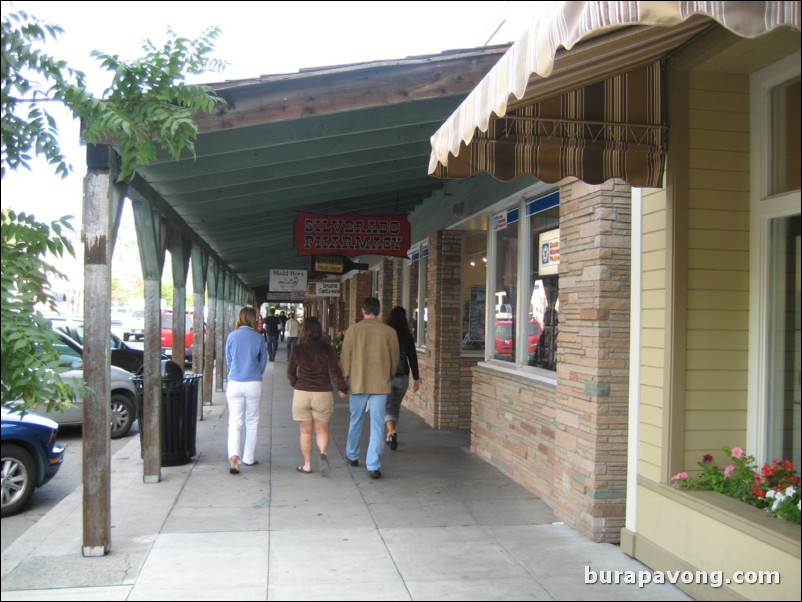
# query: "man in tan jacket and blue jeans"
{"type": "Point", "coordinates": [369, 361]}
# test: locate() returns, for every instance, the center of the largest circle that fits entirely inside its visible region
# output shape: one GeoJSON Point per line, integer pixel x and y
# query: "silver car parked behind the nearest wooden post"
{"type": "Point", "coordinates": [123, 391]}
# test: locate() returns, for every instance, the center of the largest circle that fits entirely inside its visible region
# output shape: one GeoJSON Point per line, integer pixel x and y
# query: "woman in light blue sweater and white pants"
{"type": "Point", "coordinates": [246, 358]}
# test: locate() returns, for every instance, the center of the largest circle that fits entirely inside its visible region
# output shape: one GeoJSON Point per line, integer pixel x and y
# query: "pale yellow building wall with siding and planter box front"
{"type": "Point", "coordinates": [694, 352]}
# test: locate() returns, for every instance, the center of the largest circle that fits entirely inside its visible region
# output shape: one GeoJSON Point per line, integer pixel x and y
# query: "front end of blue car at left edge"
{"type": "Point", "coordinates": [31, 456]}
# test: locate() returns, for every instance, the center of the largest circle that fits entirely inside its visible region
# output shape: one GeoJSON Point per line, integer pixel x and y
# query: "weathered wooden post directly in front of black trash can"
{"type": "Point", "coordinates": [152, 236]}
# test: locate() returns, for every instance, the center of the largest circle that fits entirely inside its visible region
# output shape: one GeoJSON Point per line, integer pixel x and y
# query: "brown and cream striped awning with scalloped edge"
{"type": "Point", "coordinates": [554, 107]}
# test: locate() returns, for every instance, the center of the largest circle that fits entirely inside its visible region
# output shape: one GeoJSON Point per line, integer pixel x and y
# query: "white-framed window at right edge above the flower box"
{"type": "Point", "coordinates": [775, 360]}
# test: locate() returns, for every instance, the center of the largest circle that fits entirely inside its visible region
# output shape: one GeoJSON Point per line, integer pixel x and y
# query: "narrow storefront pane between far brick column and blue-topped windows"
{"type": "Point", "coordinates": [474, 290]}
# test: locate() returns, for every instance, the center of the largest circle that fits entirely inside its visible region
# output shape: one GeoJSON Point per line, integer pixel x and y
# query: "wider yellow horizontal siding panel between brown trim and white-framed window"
{"type": "Point", "coordinates": [718, 264]}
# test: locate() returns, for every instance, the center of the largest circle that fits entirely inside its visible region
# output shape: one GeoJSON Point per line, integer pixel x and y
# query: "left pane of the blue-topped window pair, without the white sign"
{"type": "Point", "coordinates": [505, 284]}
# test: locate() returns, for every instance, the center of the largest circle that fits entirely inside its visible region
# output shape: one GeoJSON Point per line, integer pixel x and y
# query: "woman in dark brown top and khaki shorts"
{"type": "Point", "coordinates": [313, 371]}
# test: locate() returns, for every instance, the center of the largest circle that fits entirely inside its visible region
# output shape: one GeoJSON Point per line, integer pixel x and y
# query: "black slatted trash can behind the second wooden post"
{"type": "Point", "coordinates": [179, 412]}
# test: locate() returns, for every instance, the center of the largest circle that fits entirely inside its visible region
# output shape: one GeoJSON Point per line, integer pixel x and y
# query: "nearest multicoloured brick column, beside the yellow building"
{"type": "Point", "coordinates": [593, 358]}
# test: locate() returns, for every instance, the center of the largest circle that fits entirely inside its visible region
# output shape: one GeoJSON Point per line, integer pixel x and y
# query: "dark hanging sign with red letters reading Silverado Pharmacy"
{"type": "Point", "coordinates": [351, 234]}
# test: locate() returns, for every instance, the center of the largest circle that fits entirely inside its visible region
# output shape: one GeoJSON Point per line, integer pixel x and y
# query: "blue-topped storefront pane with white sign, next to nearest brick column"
{"type": "Point", "coordinates": [543, 312]}
